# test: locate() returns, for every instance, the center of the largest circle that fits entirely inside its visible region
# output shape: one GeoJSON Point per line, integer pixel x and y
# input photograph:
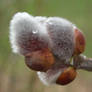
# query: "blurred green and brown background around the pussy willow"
{"type": "Point", "coordinates": [14, 75]}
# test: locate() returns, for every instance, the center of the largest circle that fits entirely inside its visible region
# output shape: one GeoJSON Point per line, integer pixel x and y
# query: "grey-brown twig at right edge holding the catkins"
{"type": "Point", "coordinates": [82, 62]}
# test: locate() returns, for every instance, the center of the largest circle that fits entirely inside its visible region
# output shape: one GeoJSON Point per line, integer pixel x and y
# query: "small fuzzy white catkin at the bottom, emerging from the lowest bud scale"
{"type": "Point", "coordinates": [50, 77]}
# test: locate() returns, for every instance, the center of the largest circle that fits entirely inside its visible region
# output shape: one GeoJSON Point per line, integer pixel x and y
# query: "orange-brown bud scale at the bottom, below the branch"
{"type": "Point", "coordinates": [67, 76]}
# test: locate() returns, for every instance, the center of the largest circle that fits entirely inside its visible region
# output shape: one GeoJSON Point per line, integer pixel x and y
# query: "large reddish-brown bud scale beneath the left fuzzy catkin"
{"type": "Point", "coordinates": [40, 60]}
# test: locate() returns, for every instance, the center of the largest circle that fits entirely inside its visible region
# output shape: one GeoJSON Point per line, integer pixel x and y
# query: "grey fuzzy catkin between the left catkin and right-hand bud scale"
{"type": "Point", "coordinates": [62, 35]}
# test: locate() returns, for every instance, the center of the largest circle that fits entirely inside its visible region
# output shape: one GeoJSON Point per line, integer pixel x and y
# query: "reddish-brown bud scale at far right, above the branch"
{"type": "Point", "coordinates": [79, 42]}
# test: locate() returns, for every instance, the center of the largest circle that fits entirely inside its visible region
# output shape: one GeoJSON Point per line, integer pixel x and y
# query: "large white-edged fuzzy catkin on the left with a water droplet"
{"type": "Point", "coordinates": [26, 34]}
